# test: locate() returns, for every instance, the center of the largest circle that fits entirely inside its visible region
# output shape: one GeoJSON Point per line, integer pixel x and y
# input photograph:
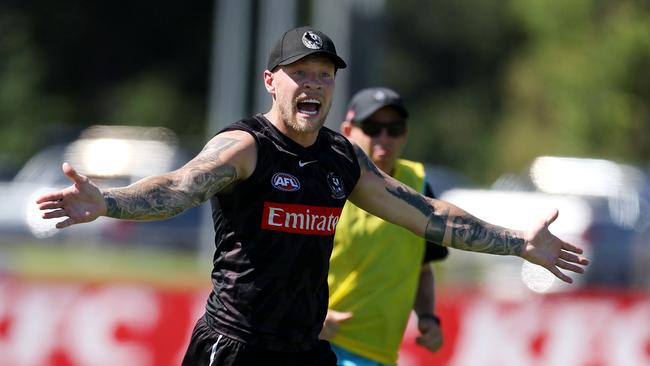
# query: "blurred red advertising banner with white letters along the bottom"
{"type": "Point", "coordinates": [70, 324]}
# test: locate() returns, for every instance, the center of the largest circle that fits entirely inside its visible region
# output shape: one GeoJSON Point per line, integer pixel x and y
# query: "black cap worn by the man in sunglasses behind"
{"type": "Point", "coordinates": [368, 101]}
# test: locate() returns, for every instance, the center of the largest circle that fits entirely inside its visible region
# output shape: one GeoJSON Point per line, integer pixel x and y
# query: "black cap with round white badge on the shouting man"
{"type": "Point", "coordinates": [300, 42]}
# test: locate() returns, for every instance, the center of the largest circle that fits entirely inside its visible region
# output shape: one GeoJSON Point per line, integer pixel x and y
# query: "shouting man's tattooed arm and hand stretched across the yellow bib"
{"type": "Point", "coordinates": [446, 224]}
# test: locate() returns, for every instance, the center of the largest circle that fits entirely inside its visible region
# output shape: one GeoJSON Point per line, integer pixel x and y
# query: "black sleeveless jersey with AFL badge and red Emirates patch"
{"type": "Point", "coordinates": [273, 235]}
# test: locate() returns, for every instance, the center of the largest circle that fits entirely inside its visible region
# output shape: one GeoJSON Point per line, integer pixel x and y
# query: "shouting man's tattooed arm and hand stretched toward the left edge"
{"type": "Point", "coordinates": [226, 159]}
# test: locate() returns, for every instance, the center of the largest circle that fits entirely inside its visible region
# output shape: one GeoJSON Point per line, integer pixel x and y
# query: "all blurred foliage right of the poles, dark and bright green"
{"type": "Point", "coordinates": [491, 85]}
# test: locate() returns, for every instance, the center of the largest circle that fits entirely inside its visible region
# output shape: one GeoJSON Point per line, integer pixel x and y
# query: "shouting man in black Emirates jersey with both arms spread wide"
{"type": "Point", "coordinates": [277, 183]}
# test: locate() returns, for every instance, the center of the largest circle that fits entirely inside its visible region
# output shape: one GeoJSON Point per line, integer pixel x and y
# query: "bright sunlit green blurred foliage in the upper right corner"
{"type": "Point", "coordinates": [581, 85]}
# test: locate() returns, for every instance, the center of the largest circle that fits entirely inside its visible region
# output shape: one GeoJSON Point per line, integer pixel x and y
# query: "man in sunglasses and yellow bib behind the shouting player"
{"type": "Point", "coordinates": [380, 271]}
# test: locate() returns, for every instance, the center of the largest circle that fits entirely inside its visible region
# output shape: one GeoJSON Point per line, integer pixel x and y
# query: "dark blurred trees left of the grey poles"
{"type": "Point", "coordinates": [67, 67]}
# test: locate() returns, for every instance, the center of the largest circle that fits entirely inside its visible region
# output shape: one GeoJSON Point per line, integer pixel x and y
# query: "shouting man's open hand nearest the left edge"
{"type": "Point", "coordinates": [81, 202]}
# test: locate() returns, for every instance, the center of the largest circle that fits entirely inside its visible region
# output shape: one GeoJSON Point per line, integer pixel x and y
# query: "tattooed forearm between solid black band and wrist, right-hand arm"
{"type": "Point", "coordinates": [471, 234]}
